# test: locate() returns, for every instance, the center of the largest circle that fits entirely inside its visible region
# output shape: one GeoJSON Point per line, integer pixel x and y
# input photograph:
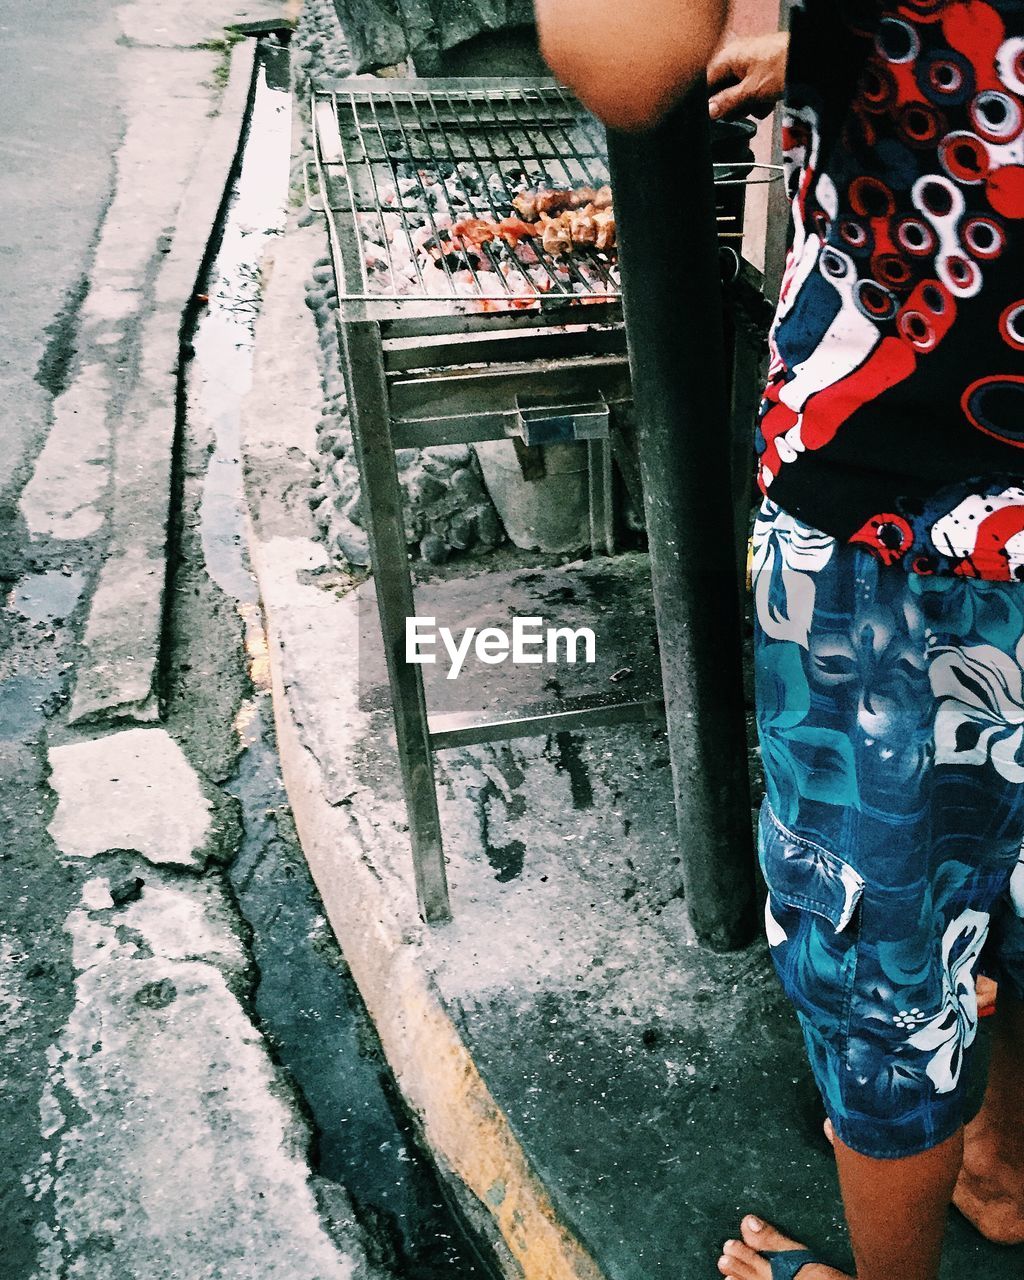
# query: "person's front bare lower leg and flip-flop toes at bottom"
{"type": "Point", "coordinates": [895, 1209]}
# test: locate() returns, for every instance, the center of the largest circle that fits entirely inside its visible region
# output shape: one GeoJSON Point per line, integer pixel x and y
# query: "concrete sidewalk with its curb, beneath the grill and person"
{"type": "Point", "coordinates": [606, 1098]}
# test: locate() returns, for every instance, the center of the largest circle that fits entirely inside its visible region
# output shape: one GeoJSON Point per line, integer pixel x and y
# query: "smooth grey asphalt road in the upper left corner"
{"type": "Point", "coordinates": [62, 125]}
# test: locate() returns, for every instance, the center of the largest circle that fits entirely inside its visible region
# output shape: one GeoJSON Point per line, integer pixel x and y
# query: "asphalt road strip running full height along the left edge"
{"type": "Point", "coordinates": [62, 127]}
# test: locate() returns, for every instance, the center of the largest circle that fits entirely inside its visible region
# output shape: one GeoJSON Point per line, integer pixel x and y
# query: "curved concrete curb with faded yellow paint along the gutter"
{"type": "Point", "coordinates": [372, 911]}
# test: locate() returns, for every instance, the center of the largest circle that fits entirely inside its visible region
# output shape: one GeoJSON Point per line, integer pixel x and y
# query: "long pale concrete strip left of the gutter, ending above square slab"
{"type": "Point", "coordinates": [122, 638]}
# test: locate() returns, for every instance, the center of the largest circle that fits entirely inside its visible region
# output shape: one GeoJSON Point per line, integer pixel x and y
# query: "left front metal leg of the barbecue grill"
{"type": "Point", "coordinates": [382, 495]}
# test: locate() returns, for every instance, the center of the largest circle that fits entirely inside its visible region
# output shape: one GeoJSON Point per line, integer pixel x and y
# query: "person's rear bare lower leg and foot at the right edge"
{"type": "Point", "coordinates": [991, 1188]}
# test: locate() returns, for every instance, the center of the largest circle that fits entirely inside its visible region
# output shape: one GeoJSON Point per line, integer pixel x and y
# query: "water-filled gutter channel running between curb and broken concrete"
{"type": "Point", "coordinates": [307, 999]}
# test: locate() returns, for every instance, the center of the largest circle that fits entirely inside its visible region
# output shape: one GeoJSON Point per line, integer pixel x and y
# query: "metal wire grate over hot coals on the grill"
{"type": "Point", "coordinates": [401, 162]}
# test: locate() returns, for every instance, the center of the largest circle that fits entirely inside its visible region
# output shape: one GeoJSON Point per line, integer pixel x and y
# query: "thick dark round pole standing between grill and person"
{"type": "Point", "coordinates": [673, 296]}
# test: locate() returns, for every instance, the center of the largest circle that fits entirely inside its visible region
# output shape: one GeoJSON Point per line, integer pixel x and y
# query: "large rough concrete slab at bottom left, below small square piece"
{"type": "Point", "coordinates": [132, 1172]}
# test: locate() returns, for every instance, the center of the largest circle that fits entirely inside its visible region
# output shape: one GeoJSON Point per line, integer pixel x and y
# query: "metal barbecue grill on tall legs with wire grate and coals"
{"type": "Point", "coordinates": [442, 348]}
